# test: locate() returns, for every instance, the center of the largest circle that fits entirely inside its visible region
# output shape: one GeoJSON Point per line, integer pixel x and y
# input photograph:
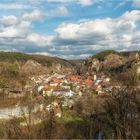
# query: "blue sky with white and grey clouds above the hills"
{"type": "Point", "coordinates": [70, 29]}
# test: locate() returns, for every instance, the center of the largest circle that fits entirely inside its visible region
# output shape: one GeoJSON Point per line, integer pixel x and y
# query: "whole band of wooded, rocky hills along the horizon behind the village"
{"type": "Point", "coordinates": [106, 60]}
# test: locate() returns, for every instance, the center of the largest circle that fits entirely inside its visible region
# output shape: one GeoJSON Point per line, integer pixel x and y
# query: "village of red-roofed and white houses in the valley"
{"type": "Point", "coordinates": [66, 88]}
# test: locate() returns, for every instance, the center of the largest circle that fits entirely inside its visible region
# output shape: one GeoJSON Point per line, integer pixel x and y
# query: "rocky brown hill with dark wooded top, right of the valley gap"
{"type": "Point", "coordinates": [112, 62]}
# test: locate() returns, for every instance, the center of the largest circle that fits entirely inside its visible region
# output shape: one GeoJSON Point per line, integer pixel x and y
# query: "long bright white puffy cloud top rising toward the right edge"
{"type": "Point", "coordinates": [124, 24]}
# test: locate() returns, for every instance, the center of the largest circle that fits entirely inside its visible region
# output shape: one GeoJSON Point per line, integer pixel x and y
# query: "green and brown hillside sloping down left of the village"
{"type": "Point", "coordinates": [15, 68]}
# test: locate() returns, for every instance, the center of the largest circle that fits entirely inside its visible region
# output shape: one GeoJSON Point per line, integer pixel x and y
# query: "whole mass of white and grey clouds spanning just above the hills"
{"type": "Point", "coordinates": [72, 40]}
